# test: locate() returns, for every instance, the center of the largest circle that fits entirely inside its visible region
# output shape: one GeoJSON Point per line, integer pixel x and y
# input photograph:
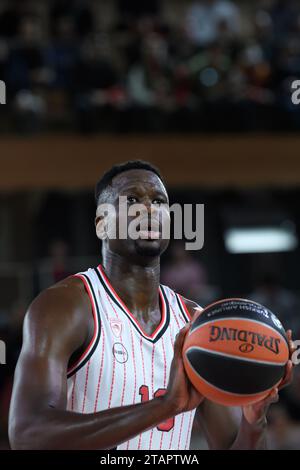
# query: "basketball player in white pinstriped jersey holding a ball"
{"type": "Point", "coordinates": [101, 366]}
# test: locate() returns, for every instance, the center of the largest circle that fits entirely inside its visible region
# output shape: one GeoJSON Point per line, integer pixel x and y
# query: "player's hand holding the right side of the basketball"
{"type": "Point", "coordinates": [256, 413]}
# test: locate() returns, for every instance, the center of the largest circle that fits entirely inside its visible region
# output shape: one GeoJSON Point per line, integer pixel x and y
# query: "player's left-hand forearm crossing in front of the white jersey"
{"type": "Point", "coordinates": [59, 429]}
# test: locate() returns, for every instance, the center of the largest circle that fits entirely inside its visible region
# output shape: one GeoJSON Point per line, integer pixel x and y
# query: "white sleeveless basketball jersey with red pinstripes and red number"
{"type": "Point", "coordinates": [123, 365]}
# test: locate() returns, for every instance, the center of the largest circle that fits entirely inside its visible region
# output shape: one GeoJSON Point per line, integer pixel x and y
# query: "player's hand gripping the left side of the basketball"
{"type": "Point", "coordinates": [180, 392]}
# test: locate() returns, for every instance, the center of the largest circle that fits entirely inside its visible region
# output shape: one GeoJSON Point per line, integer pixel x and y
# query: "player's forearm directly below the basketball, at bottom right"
{"type": "Point", "coordinates": [252, 437]}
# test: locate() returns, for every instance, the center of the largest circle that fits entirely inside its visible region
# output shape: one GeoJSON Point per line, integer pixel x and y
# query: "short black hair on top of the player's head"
{"type": "Point", "coordinates": [115, 170]}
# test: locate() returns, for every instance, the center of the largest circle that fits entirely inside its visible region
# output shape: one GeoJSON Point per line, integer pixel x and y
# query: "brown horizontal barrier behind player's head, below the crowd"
{"type": "Point", "coordinates": [73, 162]}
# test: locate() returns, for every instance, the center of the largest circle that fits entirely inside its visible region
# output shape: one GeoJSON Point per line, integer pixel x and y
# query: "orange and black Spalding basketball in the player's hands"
{"type": "Point", "coordinates": [235, 352]}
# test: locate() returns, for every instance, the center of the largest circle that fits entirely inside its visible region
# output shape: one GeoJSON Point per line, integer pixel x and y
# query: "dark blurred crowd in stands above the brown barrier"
{"type": "Point", "coordinates": [151, 66]}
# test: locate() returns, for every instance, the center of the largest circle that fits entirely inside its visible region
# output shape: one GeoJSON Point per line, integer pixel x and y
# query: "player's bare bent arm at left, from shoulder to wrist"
{"type": "Point", "coordinates": [57, 325]}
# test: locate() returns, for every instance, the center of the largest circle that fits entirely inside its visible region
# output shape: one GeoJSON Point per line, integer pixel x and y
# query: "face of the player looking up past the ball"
{"type": "Point", "coordinates": [141, 216]}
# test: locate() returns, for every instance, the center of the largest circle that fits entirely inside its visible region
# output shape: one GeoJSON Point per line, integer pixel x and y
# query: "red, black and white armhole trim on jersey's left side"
{"type": "Point", "coordinates": [86, 355]}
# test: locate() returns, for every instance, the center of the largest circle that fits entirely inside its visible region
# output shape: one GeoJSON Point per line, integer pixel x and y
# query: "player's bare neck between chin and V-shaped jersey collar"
{"type": "Point", "coordinates": [137, 285]}
